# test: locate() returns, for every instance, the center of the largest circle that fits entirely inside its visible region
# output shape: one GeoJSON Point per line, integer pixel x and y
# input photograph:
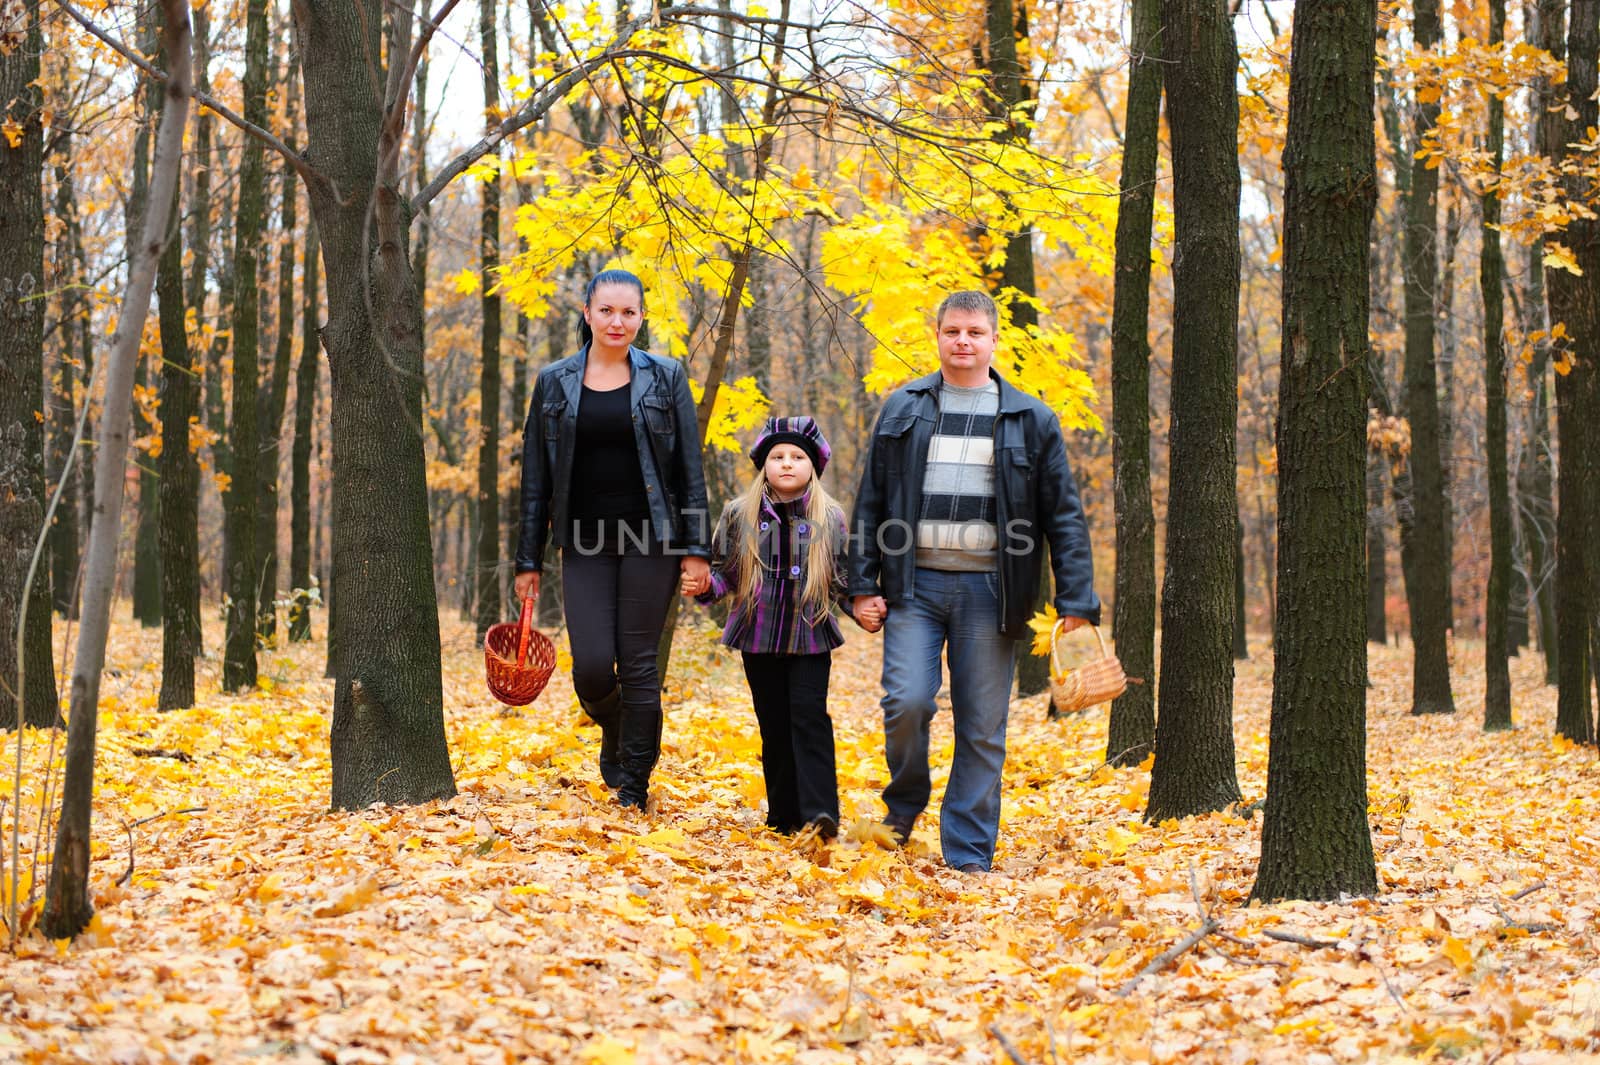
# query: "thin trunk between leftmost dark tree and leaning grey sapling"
{"type": "Point", "coordinates": [66, 530]}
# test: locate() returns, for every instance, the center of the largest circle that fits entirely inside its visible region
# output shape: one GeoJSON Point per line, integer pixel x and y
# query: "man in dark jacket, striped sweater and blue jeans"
{"type": "Point", "coordinates": [966, 481]}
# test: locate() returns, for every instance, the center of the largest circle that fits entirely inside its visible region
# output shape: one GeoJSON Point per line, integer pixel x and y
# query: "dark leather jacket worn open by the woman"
{"type": "Point", "coordinates": [670, 457]}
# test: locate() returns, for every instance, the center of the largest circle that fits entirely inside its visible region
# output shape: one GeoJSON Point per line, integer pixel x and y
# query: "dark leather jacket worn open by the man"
{"type": "Point", "coordinates": [1036, 498]}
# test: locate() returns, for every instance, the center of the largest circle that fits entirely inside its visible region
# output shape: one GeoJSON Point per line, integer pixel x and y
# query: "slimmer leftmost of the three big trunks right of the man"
{"type": "Point", "coordinates": [1132, 727]}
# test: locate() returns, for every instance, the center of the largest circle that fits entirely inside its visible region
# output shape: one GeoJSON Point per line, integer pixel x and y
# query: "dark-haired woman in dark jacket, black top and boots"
{"type": "Point", "coordinates": [612, 476]}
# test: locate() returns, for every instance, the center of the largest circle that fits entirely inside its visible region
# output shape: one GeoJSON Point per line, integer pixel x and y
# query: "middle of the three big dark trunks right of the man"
{"type": "Point", "coordinates": [1194, 732]}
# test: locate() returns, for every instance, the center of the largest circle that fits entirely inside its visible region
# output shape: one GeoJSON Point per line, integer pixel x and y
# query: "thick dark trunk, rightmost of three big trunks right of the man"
{"type": "Point", "coordinates": [1314, 840]}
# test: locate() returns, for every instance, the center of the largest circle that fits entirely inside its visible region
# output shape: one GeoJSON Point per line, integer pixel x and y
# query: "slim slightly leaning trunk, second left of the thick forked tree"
{"type": "Point", "coordinates": [276, 399]}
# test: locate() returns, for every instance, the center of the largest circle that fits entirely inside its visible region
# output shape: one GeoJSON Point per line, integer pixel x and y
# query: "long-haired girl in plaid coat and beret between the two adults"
{"type": "Point", "coordinates": [780, 551]}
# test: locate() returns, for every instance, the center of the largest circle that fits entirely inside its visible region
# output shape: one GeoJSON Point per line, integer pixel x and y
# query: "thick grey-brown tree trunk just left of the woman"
{"type": "Point", "coordinates": [388, 740]}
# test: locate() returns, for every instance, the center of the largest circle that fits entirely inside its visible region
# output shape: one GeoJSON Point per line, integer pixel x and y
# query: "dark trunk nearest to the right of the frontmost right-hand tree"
{"type": "Point", "coordinates": [1423, 538]}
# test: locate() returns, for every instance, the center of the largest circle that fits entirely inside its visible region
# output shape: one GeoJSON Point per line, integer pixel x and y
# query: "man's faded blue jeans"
{"type": "Point", "coordinates": [959, 610]}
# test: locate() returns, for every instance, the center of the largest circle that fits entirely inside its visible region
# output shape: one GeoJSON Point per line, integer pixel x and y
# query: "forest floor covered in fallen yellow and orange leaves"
{"type": "Point", "coordinates": [530, 919]}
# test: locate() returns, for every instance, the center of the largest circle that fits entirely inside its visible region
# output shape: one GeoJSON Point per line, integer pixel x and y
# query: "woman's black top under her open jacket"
{"type": "Point", "coordinates": [609, 487]}
